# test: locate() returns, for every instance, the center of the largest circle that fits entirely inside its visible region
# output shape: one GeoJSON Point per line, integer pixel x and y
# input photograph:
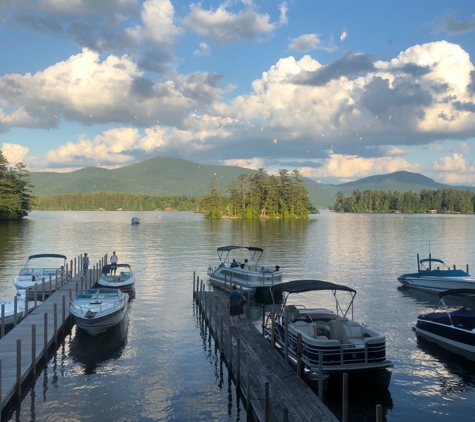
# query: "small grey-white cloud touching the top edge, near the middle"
{"type": "Point", "coordinates": [224, 27]}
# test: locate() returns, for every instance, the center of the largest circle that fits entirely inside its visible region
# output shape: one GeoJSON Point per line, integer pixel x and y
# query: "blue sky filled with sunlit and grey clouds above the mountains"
{"type": "Point", "coordinates": [339, 90]}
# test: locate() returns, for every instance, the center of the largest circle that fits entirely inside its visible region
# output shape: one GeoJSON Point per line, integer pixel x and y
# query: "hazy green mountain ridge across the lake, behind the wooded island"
{"type": "Point", "coordinates": [175, 176]}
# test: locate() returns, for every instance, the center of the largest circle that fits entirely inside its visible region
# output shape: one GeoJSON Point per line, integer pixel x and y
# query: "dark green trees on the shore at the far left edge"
{"type": "Point", "coordinates": [15, 190]}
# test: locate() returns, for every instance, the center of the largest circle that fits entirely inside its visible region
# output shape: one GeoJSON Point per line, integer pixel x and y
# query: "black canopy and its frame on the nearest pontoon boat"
{"type": "Point", "coordinates": [303, 286]}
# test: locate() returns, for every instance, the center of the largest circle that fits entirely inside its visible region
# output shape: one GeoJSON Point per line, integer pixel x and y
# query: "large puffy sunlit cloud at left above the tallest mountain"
{"type": "Point", "coordinates": [90, 91]}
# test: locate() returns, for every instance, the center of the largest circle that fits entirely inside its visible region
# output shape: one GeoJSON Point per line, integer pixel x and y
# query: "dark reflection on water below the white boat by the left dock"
{"type": "Point", "coordinates": [91, 351]}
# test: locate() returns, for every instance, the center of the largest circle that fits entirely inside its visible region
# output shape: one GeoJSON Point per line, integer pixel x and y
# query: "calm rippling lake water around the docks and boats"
{"type": "Point", "coordinates": [158, 366]}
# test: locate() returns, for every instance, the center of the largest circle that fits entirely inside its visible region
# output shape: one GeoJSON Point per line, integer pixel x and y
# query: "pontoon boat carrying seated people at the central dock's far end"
{"type": "Point", "coordinates": [250, 273]}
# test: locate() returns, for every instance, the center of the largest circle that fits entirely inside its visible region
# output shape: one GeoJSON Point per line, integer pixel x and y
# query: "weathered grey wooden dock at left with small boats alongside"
{"type": "Point", "coordinates": [27, 345]}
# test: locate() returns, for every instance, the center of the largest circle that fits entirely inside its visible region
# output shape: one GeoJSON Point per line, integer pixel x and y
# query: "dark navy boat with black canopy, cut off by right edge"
{"type": "Point", "coordinates": [452, 327]}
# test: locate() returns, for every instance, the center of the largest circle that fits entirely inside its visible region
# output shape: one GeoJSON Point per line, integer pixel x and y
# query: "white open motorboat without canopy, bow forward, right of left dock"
{"type": "Point", "coordinates": [97, 310]}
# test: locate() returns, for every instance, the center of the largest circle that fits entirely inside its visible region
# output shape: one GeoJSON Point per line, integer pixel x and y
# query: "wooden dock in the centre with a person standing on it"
{"type": "Point", "coordinates": [270, 387]}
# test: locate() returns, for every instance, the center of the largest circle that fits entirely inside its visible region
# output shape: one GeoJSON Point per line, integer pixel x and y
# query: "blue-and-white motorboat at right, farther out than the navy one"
{"type": "Point", "coordinates": [435, 275]}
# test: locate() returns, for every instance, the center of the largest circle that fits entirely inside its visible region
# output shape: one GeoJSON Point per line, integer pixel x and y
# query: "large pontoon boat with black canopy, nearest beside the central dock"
{"type": "Point", "coordinates": [334, 338]}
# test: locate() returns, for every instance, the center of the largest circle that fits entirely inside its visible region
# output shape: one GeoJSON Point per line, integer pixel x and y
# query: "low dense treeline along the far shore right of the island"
{"type": "Point", "coordinates": [445, 200]}
